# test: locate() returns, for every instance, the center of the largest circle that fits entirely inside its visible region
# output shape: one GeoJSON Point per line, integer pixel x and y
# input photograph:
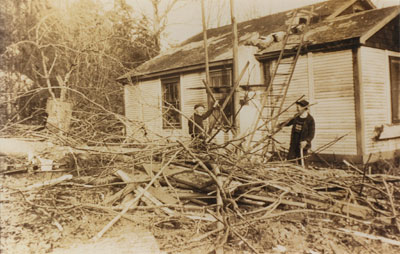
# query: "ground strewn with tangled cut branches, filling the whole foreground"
{"type": "Point", "coordinates": [193, 201]}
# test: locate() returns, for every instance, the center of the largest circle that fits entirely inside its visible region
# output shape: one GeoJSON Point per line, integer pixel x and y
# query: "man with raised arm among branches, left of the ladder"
{"type": "Point", "coordinates": [196, 127]}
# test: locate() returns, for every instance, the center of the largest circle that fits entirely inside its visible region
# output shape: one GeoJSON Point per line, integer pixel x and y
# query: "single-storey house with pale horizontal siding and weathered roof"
{"type": "Point", "coordinates": [349, 68]}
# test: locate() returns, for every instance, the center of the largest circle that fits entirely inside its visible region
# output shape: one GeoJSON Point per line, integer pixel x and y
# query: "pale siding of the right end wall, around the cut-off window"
{"type": "Point", "coordinates": [376, 93]}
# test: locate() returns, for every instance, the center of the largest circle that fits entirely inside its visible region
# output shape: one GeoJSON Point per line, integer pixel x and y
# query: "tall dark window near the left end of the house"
{"type": "Point", "coordinates": [171, 103]}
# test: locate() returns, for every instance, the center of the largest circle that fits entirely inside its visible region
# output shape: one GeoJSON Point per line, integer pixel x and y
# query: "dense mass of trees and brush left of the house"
{"type": "Point", "coordinates": [73, 54]}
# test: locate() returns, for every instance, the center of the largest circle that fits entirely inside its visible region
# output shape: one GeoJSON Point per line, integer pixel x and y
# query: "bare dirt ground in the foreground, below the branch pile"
{"type": "Point", "coordinates": [28, 227]}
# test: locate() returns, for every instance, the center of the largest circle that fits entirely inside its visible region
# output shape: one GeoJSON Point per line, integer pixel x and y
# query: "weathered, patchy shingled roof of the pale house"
{"type": "Point", "coordinates": [325, 30]}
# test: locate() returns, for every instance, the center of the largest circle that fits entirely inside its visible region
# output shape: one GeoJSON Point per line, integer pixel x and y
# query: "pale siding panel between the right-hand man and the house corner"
{"type": "Point", "coordinates": [334, 112]}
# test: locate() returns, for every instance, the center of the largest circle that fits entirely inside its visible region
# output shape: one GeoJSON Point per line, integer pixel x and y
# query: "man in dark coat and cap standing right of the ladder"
{"type": "Point", "coordinates": [303, 132]}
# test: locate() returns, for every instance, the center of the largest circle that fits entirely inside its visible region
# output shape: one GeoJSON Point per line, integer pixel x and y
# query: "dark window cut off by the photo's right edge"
{"type": "Point", "coordinates": [395, 87]}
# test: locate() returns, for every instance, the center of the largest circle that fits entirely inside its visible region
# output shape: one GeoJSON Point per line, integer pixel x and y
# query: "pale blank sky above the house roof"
{"type": "Point", "coordinates": [185, 19]}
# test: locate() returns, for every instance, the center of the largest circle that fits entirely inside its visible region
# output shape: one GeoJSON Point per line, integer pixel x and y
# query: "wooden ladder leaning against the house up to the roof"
{"type": "Point", "coordinates": [274, 97]}
